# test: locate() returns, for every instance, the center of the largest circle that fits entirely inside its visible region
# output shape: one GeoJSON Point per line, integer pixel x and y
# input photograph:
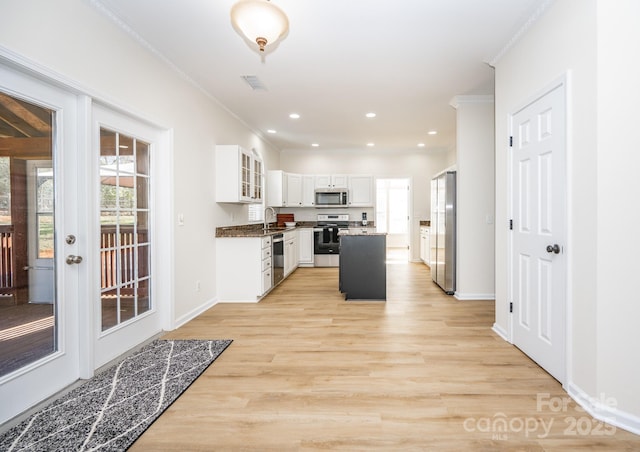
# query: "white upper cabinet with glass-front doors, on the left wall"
{"type": "Point", "coordinates": [239, 175]}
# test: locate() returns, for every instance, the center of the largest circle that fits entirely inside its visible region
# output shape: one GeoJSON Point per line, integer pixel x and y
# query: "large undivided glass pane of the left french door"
{"type": "Point", "coordinates": [28, 308]}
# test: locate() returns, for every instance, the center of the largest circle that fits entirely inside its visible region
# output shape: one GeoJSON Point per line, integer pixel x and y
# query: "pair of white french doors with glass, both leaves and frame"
{"type": "Point", "coordinates": [82, 280]}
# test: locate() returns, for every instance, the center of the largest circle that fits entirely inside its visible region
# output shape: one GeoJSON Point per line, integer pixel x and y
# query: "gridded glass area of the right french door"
{"type": "Point", "coordinates": [124, 228]}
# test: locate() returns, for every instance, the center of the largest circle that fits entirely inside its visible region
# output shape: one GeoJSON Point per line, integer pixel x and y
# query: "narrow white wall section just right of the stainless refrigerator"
{"type": "Point", "coordinates": [475, 197]}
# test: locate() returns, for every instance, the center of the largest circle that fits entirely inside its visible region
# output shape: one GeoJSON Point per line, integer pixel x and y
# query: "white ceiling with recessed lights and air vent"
{"type": "Point", "coordinates": [402, 59]}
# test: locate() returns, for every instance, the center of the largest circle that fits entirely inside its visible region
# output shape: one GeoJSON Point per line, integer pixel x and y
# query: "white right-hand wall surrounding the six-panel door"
{"type": "Point", "coordinates": [590, 42]}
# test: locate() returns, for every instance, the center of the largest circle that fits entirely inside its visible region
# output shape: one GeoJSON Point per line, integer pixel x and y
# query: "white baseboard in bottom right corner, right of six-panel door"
{"type": "Point", "coordinates": [603, 408]}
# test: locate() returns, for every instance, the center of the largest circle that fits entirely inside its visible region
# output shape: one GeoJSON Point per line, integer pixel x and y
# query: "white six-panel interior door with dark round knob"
{"type": "Point", "coordinates": [539, 231]}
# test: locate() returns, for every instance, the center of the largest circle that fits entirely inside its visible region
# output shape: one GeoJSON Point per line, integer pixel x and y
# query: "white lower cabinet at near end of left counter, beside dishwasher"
{"type": "Point", "coordinates": [243, 268]}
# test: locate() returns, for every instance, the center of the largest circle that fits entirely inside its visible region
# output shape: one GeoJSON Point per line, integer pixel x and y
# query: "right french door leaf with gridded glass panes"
{"type": "Point", "coordinates": [127, 311]}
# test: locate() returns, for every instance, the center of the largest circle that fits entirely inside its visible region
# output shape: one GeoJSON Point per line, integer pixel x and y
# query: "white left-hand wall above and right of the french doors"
{"type": "Point", "coordinates": [74, 40]}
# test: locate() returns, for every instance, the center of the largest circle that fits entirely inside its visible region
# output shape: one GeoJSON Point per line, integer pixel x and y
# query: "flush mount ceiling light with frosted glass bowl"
{"type": "Point", "coordinates": [260, 21]}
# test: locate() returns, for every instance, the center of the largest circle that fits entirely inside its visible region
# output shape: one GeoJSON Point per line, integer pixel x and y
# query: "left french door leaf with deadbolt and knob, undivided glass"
{"type": "Point", "coordinates": [44, 128]}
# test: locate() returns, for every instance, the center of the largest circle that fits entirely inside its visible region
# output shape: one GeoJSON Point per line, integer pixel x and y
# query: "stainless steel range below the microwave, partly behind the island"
{"type": "Point", "coordinates": [326, 242]}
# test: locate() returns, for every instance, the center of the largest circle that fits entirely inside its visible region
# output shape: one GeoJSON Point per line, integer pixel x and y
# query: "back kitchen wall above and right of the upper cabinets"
{"type": "Point", "coordinates": [419, 166]}
